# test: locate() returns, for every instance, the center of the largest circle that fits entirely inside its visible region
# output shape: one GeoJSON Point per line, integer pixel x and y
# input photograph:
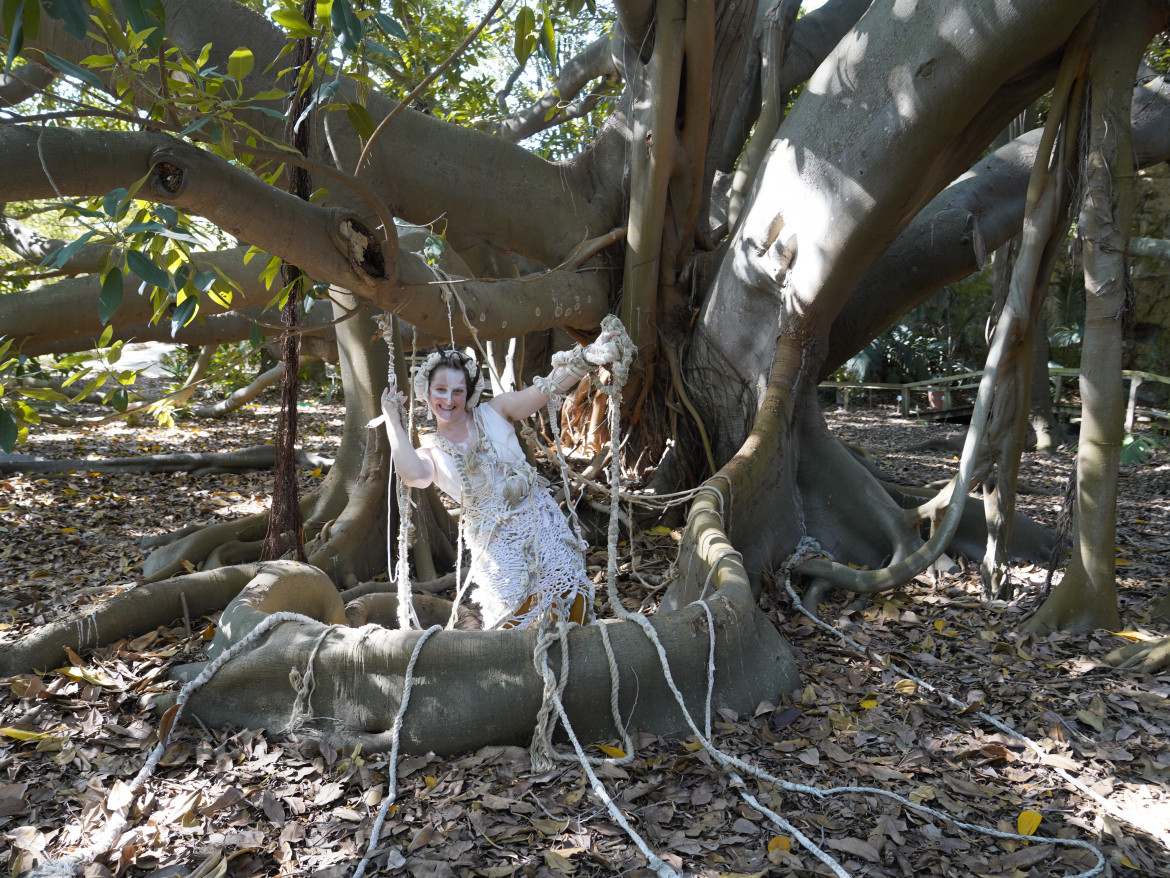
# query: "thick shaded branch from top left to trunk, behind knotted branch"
{"type": "Point", "coordinates": [488, 191]}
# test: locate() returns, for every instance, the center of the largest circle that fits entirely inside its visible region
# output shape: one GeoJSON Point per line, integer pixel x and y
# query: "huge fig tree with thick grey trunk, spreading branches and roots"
{"type": "Point", "coordinates": [749, 243]}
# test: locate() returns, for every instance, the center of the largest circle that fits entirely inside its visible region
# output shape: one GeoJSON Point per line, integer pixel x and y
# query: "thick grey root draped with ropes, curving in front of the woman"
{"type": "Point", "coordinates": [356, 673]}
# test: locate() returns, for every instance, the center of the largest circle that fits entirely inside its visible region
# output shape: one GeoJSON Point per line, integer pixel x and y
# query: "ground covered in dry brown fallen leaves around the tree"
{"type": "Point", "coordinates": [231, 802]}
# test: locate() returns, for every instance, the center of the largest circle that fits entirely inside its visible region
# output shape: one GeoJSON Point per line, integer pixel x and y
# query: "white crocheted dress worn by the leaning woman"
{"type": "Point", "coordinates": [520, 541]}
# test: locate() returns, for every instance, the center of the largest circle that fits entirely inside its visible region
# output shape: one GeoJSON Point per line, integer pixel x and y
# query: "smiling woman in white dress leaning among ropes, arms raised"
{"type": "Point", "coordinates": [526, 560]}
